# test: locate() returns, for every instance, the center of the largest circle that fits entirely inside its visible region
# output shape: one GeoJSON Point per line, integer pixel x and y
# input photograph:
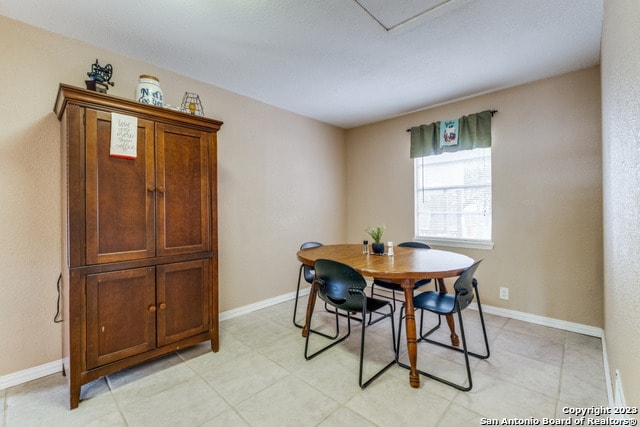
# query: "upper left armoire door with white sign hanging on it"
{"type": "Point", "coordinates": [120, 194]}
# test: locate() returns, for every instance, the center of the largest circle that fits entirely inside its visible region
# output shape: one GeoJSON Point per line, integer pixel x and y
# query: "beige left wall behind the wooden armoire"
{"type": "Point", "coordinates": [265, 206]}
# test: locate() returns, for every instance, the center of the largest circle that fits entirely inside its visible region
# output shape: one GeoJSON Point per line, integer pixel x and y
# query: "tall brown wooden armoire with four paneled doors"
{"type": "Point", "coordinates": [140, 247]}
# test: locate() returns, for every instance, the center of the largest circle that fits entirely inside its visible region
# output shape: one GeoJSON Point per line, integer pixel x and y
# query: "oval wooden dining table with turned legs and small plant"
{"type": "Point", "coordinates": [405, 266]}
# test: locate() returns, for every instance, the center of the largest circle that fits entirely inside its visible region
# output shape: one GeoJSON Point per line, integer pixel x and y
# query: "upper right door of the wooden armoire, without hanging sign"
{"type": "Point", "coordinates": [183, 206]}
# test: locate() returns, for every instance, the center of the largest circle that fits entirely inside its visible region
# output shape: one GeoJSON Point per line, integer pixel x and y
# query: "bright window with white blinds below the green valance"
{"type": "Point", "coordinates": [453, 198]}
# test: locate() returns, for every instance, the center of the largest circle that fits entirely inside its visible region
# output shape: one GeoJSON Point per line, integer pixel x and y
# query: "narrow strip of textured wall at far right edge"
{"type": "Point", "coordinates": [621, 179]}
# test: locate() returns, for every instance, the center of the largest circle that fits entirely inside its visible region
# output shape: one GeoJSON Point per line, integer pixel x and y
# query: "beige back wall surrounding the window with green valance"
{"type": "Point", "coordinates": [547, 193]}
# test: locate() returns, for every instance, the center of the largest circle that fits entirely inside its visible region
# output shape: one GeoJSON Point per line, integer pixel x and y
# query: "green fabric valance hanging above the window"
{"type": "Point", "coordinates": [474, 131]}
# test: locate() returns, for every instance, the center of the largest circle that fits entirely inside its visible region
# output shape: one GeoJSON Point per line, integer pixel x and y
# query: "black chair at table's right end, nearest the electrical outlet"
{"type": "Point", "coordinates": [465, 287]}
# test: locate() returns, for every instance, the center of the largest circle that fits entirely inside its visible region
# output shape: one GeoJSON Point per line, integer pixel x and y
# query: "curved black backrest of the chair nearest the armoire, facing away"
{"type": "Point", "coordinates": [339, 285]}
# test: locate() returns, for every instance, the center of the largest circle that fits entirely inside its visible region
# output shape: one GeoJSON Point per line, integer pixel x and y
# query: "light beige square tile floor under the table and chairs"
{"type": "Point", "coordinates": [260, 378]}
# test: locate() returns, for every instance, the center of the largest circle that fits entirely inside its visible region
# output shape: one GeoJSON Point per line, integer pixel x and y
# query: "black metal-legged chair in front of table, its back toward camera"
{"type": "Point", "coordinates": [342, 287]}
